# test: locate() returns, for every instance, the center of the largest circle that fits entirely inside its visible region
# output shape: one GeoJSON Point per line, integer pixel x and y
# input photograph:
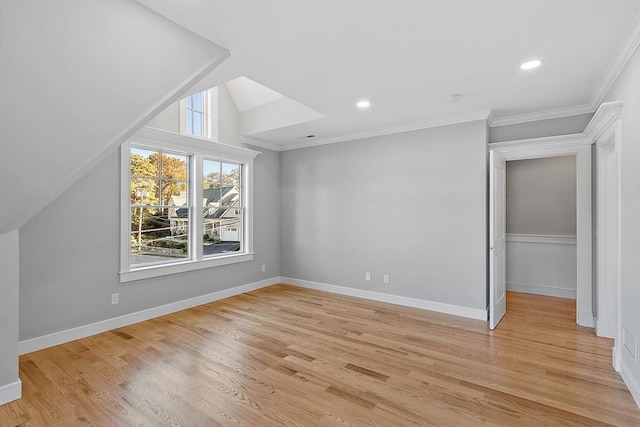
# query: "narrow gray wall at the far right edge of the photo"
{"type": "Point", "coordinates": [627, 88]}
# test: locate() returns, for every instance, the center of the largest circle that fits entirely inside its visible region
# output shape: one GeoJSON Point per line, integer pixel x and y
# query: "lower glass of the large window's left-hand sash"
{"type": "Point", "coordinates": [155, 238]}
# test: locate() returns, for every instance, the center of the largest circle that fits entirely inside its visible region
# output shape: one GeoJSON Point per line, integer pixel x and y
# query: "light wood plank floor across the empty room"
{"type": "Point", "coordinates": [285, 356]}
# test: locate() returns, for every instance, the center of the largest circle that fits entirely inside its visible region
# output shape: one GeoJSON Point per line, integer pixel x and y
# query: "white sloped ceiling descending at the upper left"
{"type": "Point", "coordinates": [77, 78]}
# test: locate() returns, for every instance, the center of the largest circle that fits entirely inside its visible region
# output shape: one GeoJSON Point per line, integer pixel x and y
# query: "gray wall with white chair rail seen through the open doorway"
{"type": "Point", "coordinates": [541, 226]}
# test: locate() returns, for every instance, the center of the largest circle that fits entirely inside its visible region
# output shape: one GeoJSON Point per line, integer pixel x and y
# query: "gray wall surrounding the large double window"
{"type": "Point", "coordinates": [69, 255]}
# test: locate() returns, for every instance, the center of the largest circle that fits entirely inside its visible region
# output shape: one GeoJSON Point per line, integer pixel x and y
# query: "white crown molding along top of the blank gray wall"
{"type": "Point", "coordinates": [406, 127]}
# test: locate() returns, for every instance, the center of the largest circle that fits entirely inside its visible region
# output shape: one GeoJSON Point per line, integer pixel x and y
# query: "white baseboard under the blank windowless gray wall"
{"type": "Point", "coordinates": [457, 310]}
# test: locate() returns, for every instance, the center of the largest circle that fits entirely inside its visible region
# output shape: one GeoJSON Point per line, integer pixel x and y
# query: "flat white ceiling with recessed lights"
{"type": "Point", "coordinates": [408, 57]}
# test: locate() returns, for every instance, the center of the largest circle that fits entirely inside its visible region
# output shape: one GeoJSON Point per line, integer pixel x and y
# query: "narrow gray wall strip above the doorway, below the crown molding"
{"type": "Point", "coordinates": [551, 127]}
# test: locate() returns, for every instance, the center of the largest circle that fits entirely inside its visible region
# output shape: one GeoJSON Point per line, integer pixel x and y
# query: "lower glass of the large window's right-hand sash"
{"type": "Point", "coordinates": [221, 235]}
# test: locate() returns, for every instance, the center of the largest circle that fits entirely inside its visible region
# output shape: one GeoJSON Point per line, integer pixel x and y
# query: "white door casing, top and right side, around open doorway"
{"type": "Point", "coordinates": [578, 145]}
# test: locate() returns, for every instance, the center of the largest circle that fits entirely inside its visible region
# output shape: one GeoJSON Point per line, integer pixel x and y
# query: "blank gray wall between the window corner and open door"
{"type": "Point", "coordinates": [412, 205]}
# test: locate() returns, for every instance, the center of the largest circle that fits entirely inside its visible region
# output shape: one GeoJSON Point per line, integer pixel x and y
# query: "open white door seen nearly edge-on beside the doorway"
{"type": "Point", "coordinates": [497, 231]}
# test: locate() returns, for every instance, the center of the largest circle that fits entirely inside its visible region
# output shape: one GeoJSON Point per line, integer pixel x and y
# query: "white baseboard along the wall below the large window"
{"type": "Point", "coordinates": [56, 338]}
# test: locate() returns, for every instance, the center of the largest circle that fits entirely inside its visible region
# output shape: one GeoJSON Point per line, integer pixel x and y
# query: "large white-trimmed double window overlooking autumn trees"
{"type": "Point", "coordinates": [187, 204]}
